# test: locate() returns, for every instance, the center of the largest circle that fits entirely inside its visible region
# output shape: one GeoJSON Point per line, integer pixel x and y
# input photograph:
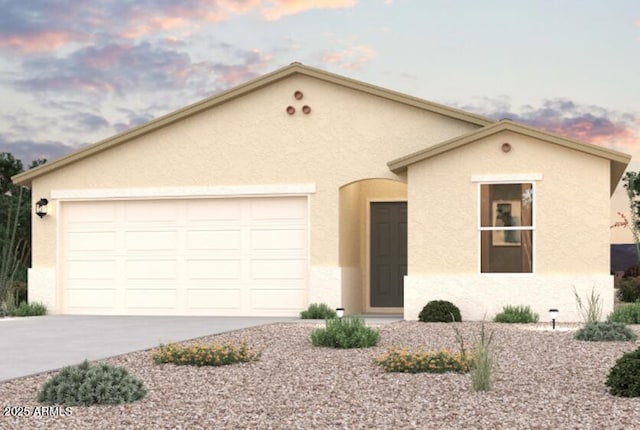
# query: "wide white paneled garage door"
{"type": "Point", "coordinates": [244, 256]}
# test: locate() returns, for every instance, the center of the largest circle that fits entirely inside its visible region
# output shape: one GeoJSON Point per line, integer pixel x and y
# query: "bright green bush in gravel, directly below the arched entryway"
{"type": "Point", "coordinates": [347, 332]}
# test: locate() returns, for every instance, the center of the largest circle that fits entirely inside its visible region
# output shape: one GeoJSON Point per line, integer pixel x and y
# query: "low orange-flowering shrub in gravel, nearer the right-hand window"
{"type": "Point", "coordinates": [417, 361]}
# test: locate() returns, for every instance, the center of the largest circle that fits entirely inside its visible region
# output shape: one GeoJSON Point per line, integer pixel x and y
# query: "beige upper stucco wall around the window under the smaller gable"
{"type": "Point", "coordinates": [571, 206]}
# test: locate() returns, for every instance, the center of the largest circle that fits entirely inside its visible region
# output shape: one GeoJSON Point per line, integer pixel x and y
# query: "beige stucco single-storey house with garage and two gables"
{"type": "Point", "coordinates": [303, 186]}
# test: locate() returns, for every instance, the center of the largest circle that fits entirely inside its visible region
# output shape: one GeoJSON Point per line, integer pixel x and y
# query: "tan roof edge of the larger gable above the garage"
{"type": "Point", "coordinates": [25, 178]}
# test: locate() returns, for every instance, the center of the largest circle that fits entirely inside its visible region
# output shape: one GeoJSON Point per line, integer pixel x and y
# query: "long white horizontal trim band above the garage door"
{"type": "Point", "coordinates": [185, 192]}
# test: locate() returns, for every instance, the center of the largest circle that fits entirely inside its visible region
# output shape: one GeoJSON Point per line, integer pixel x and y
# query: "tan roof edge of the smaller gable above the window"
{"type": "Point", "coordinates": [618, 160]}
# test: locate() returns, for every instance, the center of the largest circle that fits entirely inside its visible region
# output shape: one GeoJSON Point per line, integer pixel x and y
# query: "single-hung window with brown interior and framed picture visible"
{"type": "Point", "coordinates": [506, 228]}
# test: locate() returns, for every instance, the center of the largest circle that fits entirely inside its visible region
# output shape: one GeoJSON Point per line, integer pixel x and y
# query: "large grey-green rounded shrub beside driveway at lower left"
{"type": "Point", "coordinates": [87, 384]}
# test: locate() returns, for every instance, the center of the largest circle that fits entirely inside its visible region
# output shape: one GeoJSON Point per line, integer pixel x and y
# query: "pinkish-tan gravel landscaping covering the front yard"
{"type": "Point", "coordinates": [544, 379]}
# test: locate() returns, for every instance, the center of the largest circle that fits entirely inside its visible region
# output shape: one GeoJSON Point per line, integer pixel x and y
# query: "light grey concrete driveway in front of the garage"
{"type": "Point", "coordinates": [38, 344]}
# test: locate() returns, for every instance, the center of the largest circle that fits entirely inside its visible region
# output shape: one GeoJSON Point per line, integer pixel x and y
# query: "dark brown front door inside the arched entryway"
{"type": "Point", "coordinates": [388, 253]}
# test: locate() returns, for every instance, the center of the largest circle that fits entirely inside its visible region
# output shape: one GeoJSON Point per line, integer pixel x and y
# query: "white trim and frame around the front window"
{"type": "Point", "coordinates": [507, 179]}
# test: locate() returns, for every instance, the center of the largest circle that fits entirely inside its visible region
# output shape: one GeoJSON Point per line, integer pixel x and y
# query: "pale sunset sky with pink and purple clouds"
{"type": "Point", "coordinates": [75, 72]}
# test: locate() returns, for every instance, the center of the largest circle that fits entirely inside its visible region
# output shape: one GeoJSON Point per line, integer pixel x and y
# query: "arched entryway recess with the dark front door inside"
{"type": "Point", "coordinates": [373, 237]}
